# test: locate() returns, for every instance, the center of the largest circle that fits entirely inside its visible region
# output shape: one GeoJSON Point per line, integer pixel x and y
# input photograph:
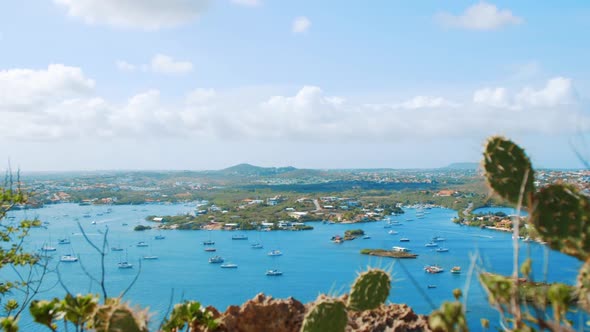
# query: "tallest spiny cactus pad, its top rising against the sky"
{"type": "Point", "coordinates": [506, 165]}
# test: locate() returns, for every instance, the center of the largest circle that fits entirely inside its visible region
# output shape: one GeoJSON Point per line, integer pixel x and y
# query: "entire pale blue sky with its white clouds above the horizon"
{"type": "Point", "coordinates": [204, 84]}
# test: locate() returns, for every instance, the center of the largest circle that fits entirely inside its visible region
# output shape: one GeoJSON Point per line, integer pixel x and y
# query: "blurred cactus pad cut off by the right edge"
{"type": "Point", "coordinates": [561, 215]}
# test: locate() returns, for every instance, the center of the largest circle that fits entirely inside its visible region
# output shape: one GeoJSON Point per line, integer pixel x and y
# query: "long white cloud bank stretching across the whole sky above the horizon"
{"type": "Point", "coordinates": [60, 102]}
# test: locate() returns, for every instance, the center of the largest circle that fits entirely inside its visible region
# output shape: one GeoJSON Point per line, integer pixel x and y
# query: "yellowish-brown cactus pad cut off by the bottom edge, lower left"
{"type": "Point", "coordinates": [116, 317]}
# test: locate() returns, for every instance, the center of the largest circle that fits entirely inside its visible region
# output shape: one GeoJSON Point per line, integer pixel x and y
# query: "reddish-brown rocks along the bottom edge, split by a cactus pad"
{"type": "Point", "coordinates": [264, 313]}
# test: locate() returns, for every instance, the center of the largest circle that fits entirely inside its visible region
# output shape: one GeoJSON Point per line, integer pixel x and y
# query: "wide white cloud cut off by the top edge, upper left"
{"type": "Point", "coordinates": [142, 14]}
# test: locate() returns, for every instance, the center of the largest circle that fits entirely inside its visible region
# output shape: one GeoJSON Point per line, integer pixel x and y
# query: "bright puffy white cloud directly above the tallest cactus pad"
{"type": "Point", "coordinates": [557, 91]}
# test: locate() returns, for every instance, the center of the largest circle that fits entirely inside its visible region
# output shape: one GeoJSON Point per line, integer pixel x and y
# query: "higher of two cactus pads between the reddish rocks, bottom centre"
{"type": "Point", "coordinates": [370, 290]}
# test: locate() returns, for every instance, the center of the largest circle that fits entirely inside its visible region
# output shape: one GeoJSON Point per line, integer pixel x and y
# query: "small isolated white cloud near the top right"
{"type": "Point", "coordinates": [481, 16]}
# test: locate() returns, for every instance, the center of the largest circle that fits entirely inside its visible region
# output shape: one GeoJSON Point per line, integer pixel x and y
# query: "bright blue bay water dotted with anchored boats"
{"type": "Point", "coordinates": [311, 263]}
